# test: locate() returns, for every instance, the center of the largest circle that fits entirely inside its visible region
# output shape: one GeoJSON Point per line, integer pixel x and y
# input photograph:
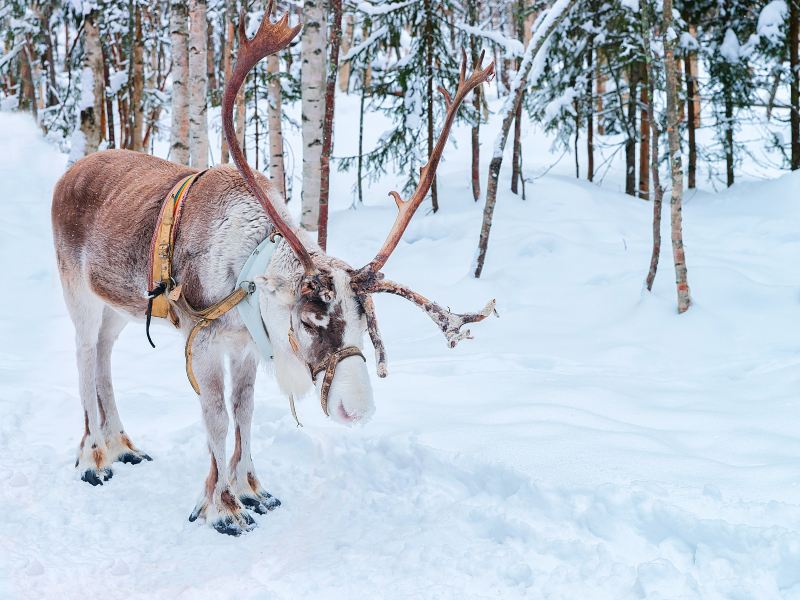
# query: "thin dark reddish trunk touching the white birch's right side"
{"type": "Point", "coordinates": [327, 126]}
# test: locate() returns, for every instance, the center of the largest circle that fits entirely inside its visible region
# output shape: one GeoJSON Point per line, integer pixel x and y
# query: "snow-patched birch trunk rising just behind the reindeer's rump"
{"type": "Point", "coordinates": [91, 100]}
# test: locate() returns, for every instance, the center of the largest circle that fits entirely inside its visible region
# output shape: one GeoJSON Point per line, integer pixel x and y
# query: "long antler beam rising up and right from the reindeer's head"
{"type": "Point", "coordinates": [407, 208]}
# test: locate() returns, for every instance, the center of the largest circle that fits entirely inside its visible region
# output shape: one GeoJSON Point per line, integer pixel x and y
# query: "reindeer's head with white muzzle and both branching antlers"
{"type": "Point", "coordinates": [317, 317]}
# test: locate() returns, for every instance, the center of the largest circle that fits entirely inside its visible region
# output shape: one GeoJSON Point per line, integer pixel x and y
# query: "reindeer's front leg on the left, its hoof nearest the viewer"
{"type": "Point", "coordinates": [218, 505]}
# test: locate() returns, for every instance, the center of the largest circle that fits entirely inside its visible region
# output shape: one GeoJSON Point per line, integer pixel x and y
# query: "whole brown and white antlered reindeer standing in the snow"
{"type": "Point", "coordinates": [315, 308]}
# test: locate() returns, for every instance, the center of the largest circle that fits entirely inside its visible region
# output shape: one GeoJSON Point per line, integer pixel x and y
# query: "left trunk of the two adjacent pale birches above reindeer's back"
{"type": "Point", "coordinates": [179, 37]}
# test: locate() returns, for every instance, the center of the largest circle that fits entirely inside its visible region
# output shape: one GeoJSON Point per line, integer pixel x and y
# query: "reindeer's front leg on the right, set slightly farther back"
{"type": "Point", "coordinates": [243, 478]}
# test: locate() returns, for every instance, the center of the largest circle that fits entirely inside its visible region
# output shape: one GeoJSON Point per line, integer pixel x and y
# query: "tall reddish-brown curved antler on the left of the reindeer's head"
{"type": "Point", "coordinates": [269, 39]}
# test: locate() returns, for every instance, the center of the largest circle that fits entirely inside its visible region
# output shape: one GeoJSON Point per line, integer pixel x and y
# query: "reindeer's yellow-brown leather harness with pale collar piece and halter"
{"type": "Point", "coordinates": [164, 295]}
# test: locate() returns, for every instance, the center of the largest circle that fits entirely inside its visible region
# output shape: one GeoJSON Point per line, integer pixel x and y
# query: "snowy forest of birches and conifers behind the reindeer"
{"type": "Point", "coordinates": [685, 91]}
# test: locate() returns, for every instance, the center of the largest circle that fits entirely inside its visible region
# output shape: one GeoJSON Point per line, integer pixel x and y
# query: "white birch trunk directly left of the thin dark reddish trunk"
{"type": "Point", "coordinates": [312, 87]}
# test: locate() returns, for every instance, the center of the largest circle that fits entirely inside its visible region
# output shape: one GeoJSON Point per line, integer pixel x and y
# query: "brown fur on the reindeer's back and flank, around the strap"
{"type": "Point", "coordinates": [105, 209]}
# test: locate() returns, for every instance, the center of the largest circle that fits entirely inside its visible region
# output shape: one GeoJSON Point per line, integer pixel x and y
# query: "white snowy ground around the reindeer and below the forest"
{"type": "Point", "coordinates": [590, 443]}
